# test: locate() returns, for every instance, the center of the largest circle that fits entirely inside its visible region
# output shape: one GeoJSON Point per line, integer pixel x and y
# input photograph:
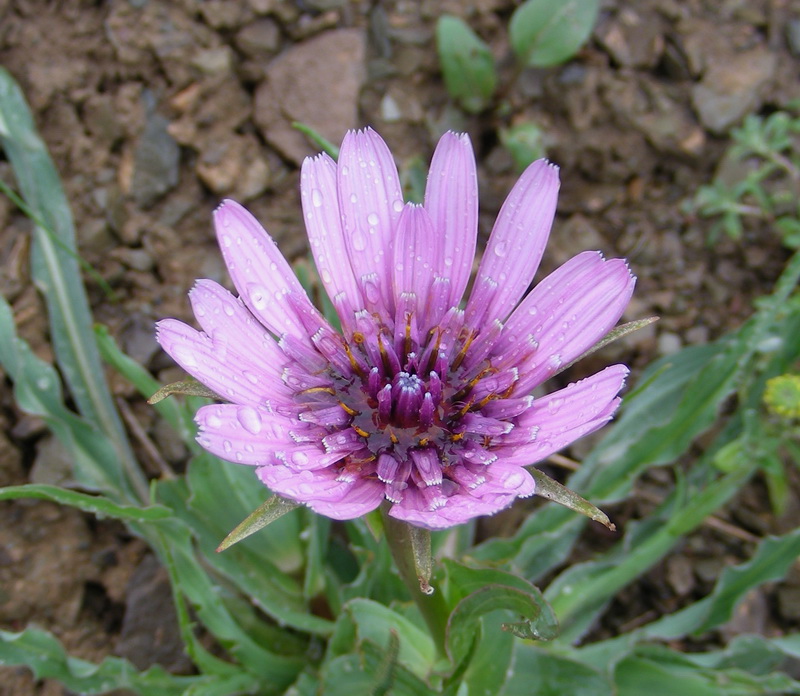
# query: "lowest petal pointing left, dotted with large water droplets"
{"type": "Point", "coordinates": [254, 436]}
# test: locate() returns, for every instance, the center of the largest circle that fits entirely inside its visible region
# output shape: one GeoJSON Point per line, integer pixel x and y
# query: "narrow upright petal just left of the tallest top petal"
{"type": "Point", "coordinates": [320, 200]}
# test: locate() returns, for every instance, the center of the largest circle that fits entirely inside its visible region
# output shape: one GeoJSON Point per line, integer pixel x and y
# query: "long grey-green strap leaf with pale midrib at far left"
{"type": "Point", "coordinates": [57, 275]}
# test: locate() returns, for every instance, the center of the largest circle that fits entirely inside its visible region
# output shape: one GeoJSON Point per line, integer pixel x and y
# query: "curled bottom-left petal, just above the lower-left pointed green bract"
{"type": "Point", "coordinates": [323, 492]}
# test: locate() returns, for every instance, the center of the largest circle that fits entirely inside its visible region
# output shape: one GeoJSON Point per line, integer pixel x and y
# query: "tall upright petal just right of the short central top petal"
{"type": "Point", "coordinates": [451, 199]}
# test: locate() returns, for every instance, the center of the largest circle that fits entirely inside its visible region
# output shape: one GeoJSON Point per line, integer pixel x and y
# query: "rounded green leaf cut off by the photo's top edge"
{"type": "Point", "coordinates": [549, 32]}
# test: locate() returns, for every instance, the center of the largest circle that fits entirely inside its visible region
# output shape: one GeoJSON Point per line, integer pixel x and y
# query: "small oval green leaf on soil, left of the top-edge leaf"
{"type": "Point", "coordinates": [467, 64]}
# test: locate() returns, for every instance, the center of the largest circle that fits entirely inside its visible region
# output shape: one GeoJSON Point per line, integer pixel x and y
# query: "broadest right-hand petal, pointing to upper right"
{"type": "Point", "coordinates": [566, 314]}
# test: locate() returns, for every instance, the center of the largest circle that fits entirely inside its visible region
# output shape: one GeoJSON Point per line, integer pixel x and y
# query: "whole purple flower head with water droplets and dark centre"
{"type": "Point", "coordinates": [419, 401]}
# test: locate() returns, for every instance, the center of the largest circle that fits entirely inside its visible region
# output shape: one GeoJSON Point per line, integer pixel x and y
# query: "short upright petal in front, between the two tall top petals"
{"type": "Point", "coordinates": [415, 258]}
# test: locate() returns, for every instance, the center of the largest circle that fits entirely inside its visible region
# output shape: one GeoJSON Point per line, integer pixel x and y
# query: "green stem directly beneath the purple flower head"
{"type": "Point", "coordinates": [432, 606]}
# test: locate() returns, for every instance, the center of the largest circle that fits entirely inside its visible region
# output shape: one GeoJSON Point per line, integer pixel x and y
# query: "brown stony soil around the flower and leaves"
{"type": "Point", "coordinates": [155, 109]}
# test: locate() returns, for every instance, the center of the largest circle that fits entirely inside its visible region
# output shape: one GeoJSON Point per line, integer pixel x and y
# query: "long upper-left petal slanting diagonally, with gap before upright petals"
{"type": "Point", "coordinates": [260, 273]}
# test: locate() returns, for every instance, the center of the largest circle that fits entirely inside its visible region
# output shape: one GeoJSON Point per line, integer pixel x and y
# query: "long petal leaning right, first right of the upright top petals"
{"type": "Point", "coordinates": [516, 244]}
